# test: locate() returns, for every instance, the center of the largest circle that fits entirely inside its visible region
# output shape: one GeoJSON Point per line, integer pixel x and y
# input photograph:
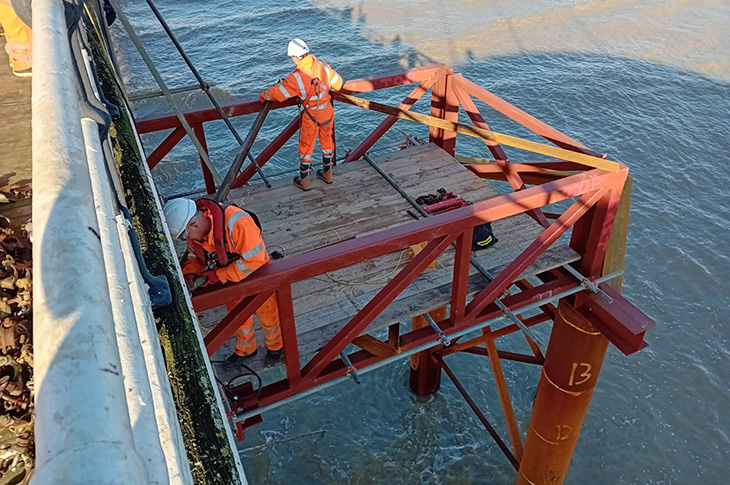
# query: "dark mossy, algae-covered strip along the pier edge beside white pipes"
{"type": "Point", "coordinates": [212, 459]}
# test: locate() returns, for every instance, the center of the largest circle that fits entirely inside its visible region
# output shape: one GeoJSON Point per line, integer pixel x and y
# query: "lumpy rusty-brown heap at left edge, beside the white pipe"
{"type": "Point", "coordinates": [17, 449]}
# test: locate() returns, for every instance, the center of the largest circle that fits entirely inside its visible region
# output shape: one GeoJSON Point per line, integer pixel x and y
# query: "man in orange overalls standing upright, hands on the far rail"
{"type": "Point", "coordinates": [311, 82]}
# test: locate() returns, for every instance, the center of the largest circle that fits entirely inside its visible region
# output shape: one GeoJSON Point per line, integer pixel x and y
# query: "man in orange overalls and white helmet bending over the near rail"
{"type": "Point", "coordinates": [224, 244]}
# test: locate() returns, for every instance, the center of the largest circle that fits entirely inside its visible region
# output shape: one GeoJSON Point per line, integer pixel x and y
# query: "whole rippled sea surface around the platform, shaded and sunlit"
{"type": "Point", "coordinates": [645, 81]}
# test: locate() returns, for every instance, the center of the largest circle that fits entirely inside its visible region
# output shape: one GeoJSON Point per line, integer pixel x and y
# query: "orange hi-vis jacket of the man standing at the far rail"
{"type": "Point", "coordinates": [311, 81]}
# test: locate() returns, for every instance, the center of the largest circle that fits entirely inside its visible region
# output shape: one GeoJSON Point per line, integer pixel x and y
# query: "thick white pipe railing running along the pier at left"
{"type": "Point", "coordinates": [104, 411]}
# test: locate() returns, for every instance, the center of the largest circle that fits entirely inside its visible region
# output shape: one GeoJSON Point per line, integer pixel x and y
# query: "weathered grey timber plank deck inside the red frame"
{"type": "Point", "coordinates": [362, 202]}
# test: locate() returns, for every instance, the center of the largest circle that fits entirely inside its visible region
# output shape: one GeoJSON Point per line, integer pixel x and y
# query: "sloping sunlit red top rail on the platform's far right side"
{"type": "Point", "coordinates": [529, 122]}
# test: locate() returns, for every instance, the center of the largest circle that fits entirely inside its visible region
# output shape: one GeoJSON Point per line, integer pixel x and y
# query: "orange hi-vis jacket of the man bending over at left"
{"type": "Point", "coordinates": [243, 239]}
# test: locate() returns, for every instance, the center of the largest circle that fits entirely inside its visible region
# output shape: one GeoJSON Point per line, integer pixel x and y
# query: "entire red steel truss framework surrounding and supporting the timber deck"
{"type": "Point", "coordinates": [591, 216]}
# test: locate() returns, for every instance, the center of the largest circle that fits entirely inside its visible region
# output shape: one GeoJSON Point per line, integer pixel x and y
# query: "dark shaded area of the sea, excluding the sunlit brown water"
{"type": "Point", "coordinates": [657, 416]}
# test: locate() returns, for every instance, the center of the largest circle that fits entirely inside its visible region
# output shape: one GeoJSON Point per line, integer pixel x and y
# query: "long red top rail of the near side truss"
{"type": "Point", "coordinates": [319, 261]}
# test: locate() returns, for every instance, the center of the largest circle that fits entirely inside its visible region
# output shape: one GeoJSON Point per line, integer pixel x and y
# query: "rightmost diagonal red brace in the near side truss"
{"type": "Point", "coordinates": [530, 254]}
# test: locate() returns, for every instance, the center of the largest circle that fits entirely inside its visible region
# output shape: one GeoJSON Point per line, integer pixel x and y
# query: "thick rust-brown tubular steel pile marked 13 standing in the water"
{"type": "Point", "coordinates": [572, 364]}
